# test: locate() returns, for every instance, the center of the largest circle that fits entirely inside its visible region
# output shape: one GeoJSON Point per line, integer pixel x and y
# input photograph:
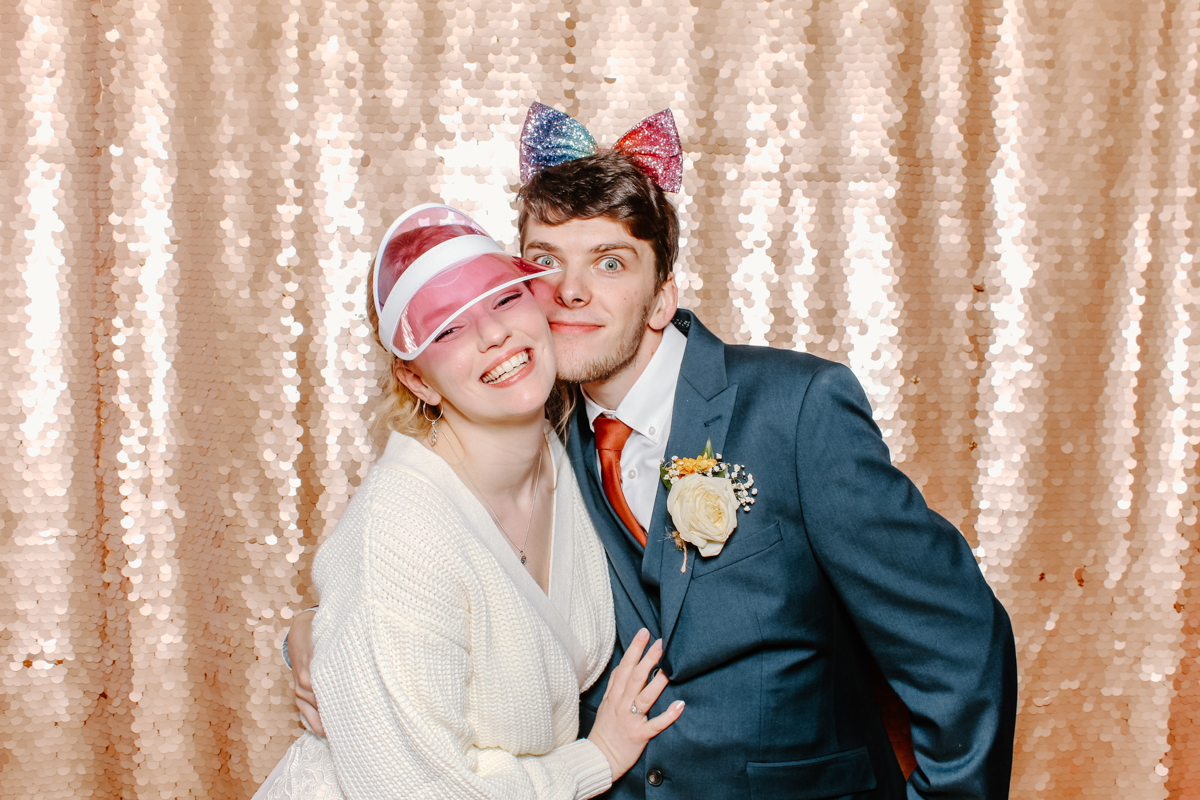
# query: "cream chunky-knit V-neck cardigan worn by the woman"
{"type": "Point", "coordinates": [442, 671]}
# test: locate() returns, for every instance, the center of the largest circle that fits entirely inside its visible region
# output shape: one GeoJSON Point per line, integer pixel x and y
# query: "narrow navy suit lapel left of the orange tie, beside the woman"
{"type": "Point", "coordinates": [622, 555]}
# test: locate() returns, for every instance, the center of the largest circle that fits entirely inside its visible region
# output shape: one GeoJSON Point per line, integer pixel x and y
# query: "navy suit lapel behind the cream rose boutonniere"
{"type": "Point", "coordinates": [704, 410]}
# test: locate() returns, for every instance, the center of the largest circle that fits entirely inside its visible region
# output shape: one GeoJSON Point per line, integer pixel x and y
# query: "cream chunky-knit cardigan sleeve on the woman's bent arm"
{"type": "Point", "coordinates": [392, 683]}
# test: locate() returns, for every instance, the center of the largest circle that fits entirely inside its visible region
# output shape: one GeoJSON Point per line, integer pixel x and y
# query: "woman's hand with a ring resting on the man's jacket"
{"type": "Point", "coordinates": [622, 727]}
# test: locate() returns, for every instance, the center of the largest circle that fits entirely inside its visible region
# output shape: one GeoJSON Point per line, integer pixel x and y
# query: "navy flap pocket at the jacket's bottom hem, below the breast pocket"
{"type": "Point", "coordinates": [842, 775]}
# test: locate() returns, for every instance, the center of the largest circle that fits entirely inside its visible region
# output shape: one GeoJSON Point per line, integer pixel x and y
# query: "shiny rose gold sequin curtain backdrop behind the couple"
{"type": "Point", "coordinates": [987, 208]}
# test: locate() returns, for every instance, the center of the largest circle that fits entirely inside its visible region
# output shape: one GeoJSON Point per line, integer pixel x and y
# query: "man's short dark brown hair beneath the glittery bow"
{"type": "Point", "coordinates": [605, 185]}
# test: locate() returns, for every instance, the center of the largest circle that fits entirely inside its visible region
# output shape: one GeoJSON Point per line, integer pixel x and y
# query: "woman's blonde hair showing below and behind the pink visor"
{"type": "Point", "coordinates": [401, 411]}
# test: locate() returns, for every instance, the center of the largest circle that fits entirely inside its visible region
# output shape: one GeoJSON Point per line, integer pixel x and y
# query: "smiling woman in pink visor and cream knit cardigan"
{"type": "Point", "coordinates": [465, 597]}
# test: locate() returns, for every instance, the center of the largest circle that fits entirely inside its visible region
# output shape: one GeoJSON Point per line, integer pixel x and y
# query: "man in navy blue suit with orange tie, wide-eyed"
{"type": "Point", "coordinates": [838, 567]}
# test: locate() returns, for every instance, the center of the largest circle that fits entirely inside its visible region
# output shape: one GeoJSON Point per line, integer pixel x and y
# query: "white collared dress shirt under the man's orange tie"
{"type": "Point", "coordinates": [647, 410]}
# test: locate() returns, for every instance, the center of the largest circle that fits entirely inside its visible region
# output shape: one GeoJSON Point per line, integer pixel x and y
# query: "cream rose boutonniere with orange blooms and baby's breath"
{"type": "Point", "coordinates": [704, 501]}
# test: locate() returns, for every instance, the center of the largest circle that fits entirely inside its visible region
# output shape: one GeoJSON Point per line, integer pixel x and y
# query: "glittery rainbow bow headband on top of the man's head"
{"type": "Point", "coordinates": [550, 139]}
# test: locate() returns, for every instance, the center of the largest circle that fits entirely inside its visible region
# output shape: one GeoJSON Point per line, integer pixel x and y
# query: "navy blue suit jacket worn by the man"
{"type": "Point", "coordinates": [838, 563]}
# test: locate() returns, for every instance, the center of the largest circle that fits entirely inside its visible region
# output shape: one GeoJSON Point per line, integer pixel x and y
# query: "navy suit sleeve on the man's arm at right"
{"type": "Point", "coordinates": [915, 592]}
